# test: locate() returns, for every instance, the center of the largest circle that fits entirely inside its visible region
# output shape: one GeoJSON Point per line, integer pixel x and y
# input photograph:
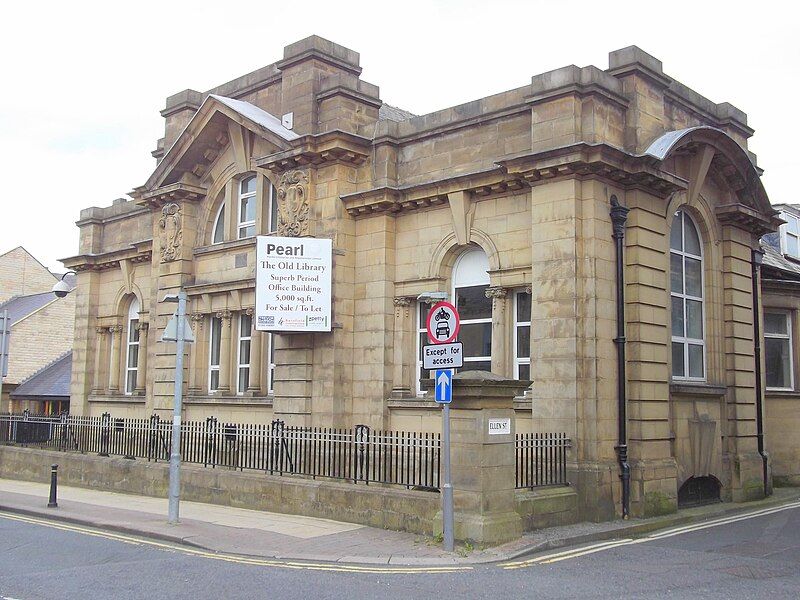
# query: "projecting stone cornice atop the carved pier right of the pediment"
{"type": "Point", "coordinates": [318, 150]}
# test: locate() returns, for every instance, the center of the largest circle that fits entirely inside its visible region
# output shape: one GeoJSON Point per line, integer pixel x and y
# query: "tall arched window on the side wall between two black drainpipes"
{"type": "Point", "coordinates": [686, 287]}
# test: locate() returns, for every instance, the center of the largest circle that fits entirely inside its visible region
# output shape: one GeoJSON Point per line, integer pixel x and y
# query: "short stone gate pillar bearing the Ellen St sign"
{"type": "Point", "coordinates": [483, 463]}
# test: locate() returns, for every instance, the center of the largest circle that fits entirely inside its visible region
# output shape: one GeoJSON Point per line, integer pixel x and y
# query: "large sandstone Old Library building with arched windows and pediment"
{"type": "Point", "coordinates": [504, 205]}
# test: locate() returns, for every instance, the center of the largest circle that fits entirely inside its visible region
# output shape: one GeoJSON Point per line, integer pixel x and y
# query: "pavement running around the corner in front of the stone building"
{"type": "Point", "coordinates": [226, 529]}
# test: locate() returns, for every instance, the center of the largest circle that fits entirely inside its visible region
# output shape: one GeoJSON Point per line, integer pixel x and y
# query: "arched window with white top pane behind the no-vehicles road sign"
{"type": "Point", "coordinates": [470, 281]}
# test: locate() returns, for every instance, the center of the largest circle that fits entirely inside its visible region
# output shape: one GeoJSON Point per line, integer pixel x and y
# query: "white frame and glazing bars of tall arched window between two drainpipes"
{"type": "Point", "coordinates": [686, 341]}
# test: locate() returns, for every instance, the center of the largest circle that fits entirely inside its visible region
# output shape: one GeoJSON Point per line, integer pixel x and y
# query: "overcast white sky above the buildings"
{"type": "Point", "coordinates": [82, 83]}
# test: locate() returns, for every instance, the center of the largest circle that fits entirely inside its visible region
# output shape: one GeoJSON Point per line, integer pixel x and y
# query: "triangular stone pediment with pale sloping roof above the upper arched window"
{"type": "Point", "coordinates": [219, 122]}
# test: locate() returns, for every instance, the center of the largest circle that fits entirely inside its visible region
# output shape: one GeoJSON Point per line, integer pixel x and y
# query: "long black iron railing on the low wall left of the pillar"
{"type": "Point", "coordinates": [360, 454]}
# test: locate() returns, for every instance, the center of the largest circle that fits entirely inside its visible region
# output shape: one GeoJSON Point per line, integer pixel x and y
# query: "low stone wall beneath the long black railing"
{"type": "Point", "coordinates": [373, 505]}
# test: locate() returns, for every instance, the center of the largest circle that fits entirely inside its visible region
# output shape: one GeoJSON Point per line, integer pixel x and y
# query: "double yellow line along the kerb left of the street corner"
{"type": "Point", "coordinates": [232, 558]}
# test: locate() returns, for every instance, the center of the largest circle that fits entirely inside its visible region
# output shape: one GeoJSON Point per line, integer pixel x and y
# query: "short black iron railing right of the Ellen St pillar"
{"type": "Point", "coordinates": [541, 459]}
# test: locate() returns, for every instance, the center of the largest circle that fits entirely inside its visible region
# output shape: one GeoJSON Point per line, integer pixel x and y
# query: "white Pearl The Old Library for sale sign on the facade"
{"type": "Point", "coordinates": [293, 284]}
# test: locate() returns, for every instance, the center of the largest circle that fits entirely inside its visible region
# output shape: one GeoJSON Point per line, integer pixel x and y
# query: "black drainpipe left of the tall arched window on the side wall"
{"type": "Point", "coordinates": [619, 214]}
